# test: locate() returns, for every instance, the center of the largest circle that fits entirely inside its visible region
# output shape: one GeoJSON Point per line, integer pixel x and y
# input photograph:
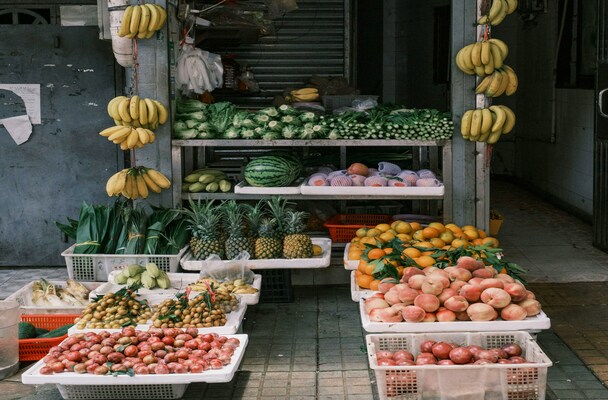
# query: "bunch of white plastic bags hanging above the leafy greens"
{"type": "Point", "coordinates": [198, 70]}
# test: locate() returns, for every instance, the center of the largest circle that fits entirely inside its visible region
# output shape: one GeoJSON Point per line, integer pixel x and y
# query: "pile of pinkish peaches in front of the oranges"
{"type": "Point", "coordinates": [468, 291]}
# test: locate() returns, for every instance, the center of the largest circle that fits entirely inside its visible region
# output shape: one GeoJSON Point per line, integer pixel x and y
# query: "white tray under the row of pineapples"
{"type": "Point", "coordinates": [190, 264]}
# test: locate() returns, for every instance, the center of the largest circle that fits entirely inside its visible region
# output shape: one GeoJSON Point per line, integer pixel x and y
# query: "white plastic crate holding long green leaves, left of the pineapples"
{"type": "Point", "coordinates": [96, 267]}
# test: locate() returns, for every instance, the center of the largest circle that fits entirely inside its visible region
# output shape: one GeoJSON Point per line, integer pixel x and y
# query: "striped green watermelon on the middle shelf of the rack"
{"type": "Point", "coordinates": [272, 171]}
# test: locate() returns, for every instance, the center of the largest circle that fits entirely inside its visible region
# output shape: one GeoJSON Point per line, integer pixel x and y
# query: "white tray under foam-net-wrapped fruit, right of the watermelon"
{"type": "Point", "coordinates": [372, 190]}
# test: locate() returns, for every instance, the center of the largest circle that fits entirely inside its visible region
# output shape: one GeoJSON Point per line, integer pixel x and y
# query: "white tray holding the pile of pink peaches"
{"type": "Point", "coordinates": [531, 324]}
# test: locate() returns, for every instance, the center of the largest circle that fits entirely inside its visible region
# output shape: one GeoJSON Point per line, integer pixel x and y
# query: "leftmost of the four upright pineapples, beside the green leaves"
{"type": "Point", "coordinates": [203, 220]}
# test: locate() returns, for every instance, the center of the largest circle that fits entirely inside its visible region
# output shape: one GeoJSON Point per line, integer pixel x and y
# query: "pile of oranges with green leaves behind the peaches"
{"type": "Point", "coordinates": [415, 238]}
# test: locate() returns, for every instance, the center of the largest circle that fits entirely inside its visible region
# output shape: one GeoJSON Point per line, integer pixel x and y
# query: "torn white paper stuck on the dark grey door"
{"type": "Point", "coordinates": [20, 127]}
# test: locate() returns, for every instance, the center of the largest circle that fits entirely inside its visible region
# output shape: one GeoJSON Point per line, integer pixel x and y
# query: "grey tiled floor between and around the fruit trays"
{"type": "Point", "coordinates": [312, 348]}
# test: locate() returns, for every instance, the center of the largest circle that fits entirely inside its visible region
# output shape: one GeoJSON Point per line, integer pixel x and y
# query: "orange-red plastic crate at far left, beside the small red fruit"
{"type": "Point", "coordinates": [35, 349]}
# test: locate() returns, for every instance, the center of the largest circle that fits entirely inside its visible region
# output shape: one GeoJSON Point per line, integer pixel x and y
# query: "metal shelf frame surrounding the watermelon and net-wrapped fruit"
{"type": "Point", "coordinates": [181, 164]}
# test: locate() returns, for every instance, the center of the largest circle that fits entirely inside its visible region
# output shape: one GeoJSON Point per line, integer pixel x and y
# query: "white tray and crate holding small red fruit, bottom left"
{"type": "Point", "coordinates": [171, 386]}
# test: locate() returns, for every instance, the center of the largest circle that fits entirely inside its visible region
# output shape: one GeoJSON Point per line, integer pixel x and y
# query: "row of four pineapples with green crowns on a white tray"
{"type": "Point", "coordinates": [267, 230]}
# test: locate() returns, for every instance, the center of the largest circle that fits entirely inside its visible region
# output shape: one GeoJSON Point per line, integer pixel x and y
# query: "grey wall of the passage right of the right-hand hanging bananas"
{"type": "Point", "coordinates": [555, 159]}
